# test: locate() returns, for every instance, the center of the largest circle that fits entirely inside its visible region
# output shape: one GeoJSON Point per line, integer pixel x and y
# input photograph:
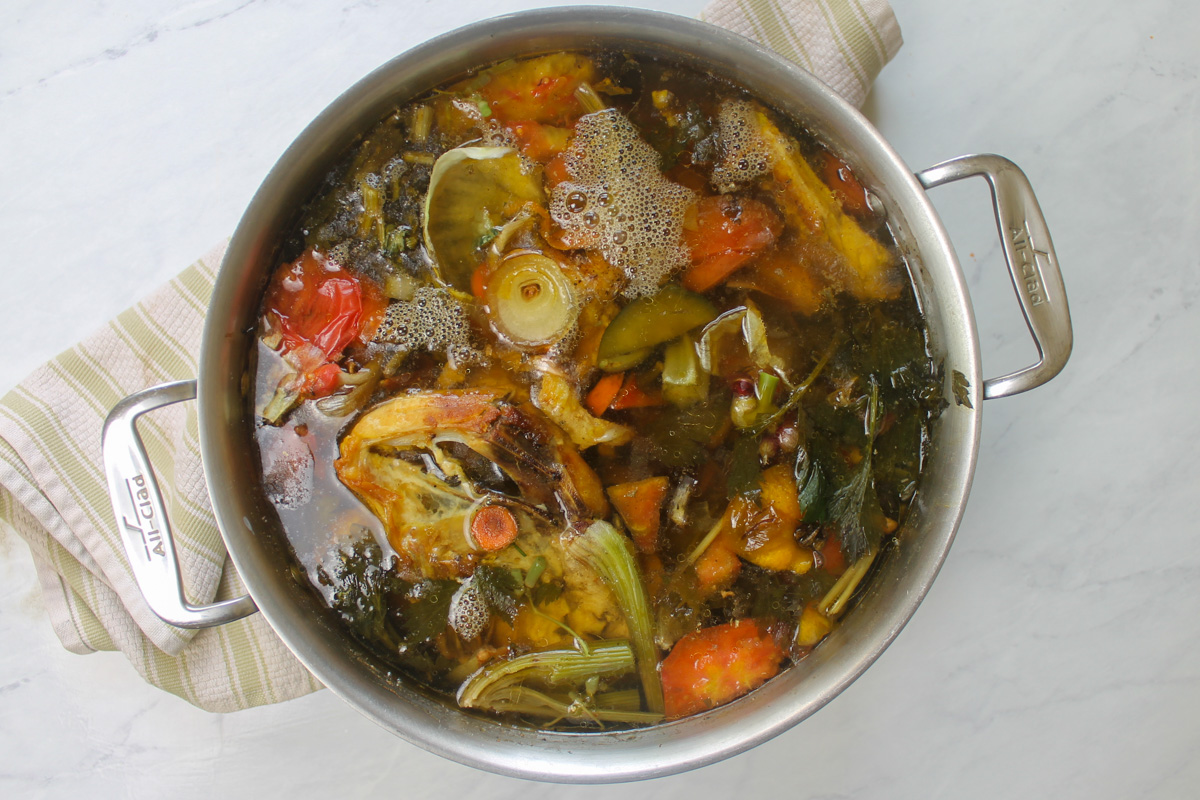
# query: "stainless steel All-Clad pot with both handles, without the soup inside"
{"type": "Point", "coordinates": [256, 542]}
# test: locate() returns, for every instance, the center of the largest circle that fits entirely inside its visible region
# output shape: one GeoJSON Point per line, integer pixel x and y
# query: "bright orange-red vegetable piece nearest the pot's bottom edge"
{"type": "Point", "coordinates": [717, 665]}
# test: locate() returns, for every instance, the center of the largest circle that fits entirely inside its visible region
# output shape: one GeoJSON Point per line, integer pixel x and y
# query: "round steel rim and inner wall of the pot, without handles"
{"type": "Point", "coordinates": [571, 757]}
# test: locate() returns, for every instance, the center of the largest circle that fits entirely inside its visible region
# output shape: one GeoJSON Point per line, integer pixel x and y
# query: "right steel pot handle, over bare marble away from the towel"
{"type": "Point", "coordinates": [1031, 262]}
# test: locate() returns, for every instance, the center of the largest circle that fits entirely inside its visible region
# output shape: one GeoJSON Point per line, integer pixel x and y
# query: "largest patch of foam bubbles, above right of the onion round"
{"type": "Point", "coordinates": [619, 202]}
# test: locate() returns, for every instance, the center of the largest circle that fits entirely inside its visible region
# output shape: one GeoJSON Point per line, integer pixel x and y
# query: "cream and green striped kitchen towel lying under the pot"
{"type": "Point", "coordinates": [52, 482]}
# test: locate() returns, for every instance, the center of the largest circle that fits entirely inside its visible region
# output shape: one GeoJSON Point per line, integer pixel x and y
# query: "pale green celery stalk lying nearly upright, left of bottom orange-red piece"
{"type": "Point", "coordinates": [611, 555]}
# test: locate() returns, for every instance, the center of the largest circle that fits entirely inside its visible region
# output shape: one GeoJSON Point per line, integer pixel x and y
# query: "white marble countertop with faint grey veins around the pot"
{"type": "Point", "coordinates": [1059, 652]}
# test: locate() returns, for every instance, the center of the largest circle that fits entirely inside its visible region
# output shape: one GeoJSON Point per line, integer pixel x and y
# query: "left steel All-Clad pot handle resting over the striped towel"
{"type": "Point", "coordinates": [142, 518]}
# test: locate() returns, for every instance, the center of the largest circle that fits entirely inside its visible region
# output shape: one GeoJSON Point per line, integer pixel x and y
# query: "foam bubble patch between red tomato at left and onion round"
{"type": "Point", "coordinates": [434, 321]}
